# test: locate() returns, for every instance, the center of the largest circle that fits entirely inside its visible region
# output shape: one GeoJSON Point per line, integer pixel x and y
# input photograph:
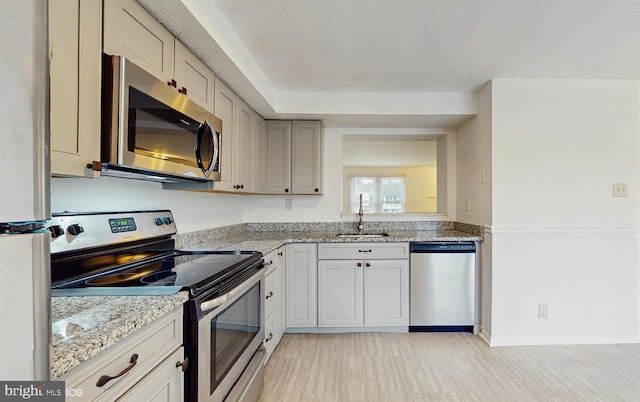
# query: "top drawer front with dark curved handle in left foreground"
{"type": "Point", "coordinates": [152, 344]}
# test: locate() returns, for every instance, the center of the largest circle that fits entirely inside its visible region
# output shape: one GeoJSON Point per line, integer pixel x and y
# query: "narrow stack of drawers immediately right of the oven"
{"type": "Point", "coordinates": [274, 300]}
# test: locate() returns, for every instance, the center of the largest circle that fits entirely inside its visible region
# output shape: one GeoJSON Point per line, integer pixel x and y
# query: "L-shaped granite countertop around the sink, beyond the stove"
{"type": "Point", "coordinates": [266, 242]}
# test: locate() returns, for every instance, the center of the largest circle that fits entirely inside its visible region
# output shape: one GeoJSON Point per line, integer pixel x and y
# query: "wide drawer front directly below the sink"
{"type": "Point", "coordinates": [361, 251]}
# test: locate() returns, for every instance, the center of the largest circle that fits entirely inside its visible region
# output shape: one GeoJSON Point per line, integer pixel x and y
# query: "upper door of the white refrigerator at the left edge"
{"type": "Point", "coordinates": [24, 109]}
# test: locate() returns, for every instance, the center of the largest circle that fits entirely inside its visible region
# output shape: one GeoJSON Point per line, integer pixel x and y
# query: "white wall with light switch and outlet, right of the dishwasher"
{"type": "Point", "coordinates": [558, 236]}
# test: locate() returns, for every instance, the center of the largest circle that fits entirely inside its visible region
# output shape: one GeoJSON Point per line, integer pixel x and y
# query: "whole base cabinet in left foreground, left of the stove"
{"type": "Point", "coordinates": [153, 356]}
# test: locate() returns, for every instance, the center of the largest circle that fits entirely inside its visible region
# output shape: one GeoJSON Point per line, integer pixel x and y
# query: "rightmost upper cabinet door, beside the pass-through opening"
{"type": "Point", "coordinates": [307, 157]}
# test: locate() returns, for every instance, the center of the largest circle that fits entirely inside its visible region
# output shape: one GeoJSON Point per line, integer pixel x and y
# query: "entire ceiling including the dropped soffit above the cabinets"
{"type": "Point", "coordinates": [306, 58]}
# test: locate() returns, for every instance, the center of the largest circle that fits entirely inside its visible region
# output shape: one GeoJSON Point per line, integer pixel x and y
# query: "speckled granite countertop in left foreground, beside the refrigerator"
{"type": "Point", "coordinates": [85, 326]}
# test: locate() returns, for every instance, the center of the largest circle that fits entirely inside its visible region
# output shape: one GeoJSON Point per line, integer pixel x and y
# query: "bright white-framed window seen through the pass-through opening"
{"type": "Point", "coordinates": [379, 194]}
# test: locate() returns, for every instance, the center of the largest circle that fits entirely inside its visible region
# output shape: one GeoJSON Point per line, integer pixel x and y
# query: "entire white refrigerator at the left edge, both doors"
{"type": "Point", "coordinates": [24, 191]}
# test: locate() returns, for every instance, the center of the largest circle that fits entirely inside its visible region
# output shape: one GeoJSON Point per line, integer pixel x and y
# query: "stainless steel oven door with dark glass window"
{"type": "Point", "coordinates": [229, 334]}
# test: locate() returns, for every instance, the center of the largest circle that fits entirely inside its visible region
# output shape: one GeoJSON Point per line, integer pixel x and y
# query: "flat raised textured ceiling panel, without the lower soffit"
{"type": "Point", "coordinates": [434, 45]}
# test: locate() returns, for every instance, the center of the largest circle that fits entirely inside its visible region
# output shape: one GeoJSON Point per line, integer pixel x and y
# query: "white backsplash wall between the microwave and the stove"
{"type": "Point", "coordinates": [192, 210]}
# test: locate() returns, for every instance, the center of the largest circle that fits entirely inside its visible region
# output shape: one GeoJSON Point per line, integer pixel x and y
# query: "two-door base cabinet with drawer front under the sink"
{"type": "Point", "coordinates": [356, 292]}
